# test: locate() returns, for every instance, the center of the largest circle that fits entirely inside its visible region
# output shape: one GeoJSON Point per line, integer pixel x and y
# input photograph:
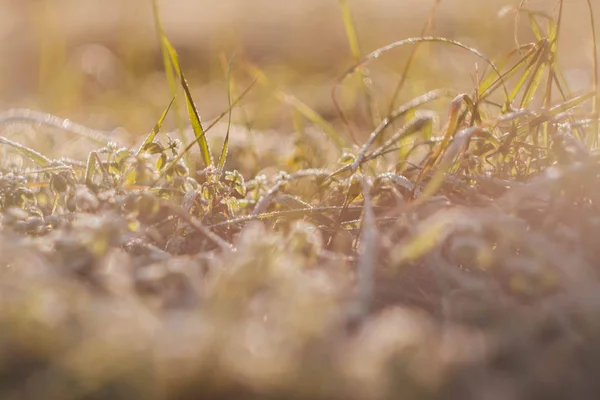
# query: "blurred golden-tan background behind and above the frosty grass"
{"type": "Point", "coordinates": [98, 61]}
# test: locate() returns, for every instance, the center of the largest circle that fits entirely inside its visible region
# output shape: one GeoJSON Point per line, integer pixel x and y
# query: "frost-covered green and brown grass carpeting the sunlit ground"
{"type": "Point", "coordinates": [388, 252]}
